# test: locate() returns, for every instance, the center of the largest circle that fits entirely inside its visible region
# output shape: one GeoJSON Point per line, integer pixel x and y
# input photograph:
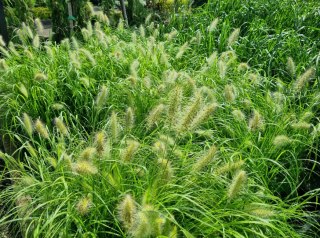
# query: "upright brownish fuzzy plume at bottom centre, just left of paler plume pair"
{"type": "Point", "coordinates": [127, 211]}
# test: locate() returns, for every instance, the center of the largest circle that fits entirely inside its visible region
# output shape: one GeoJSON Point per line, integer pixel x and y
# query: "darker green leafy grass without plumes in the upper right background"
{"type": "Point", "coordinates": [270, 30]}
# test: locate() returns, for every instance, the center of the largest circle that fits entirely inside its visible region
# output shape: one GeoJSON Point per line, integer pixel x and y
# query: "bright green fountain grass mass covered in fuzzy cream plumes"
{"type": "Point", "coordinates": [133, 134]}
